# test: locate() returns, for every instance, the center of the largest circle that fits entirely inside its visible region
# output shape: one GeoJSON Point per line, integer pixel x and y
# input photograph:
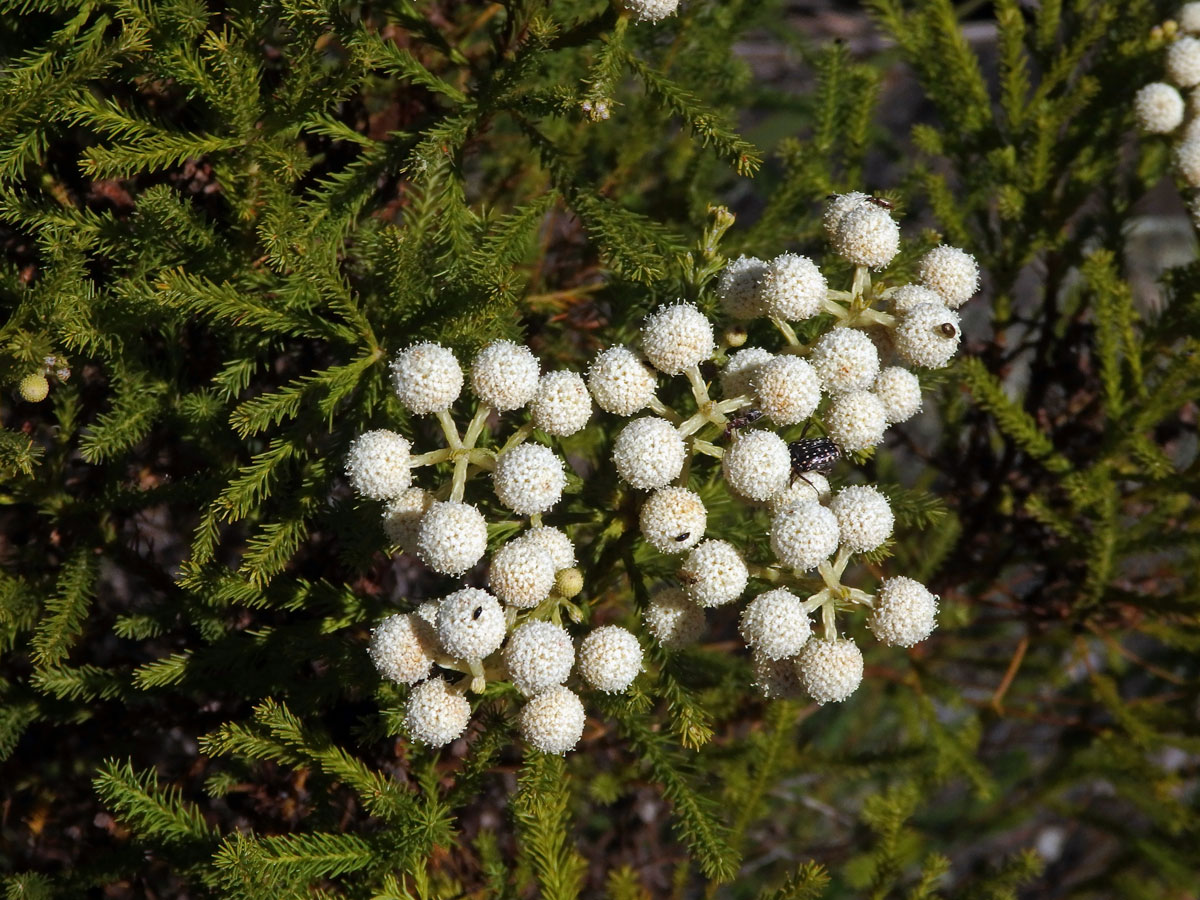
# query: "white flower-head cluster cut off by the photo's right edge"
{"type": "Point", "coordinates": [1171, 107]}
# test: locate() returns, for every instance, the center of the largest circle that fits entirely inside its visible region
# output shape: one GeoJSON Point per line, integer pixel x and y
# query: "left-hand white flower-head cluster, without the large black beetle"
{"type": "Point", "coordinates": [512, 632]}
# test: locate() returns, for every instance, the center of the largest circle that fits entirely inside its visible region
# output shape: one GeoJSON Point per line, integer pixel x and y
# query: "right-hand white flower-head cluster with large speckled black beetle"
{"type": "Point", "coordinates": [854, 379]}
